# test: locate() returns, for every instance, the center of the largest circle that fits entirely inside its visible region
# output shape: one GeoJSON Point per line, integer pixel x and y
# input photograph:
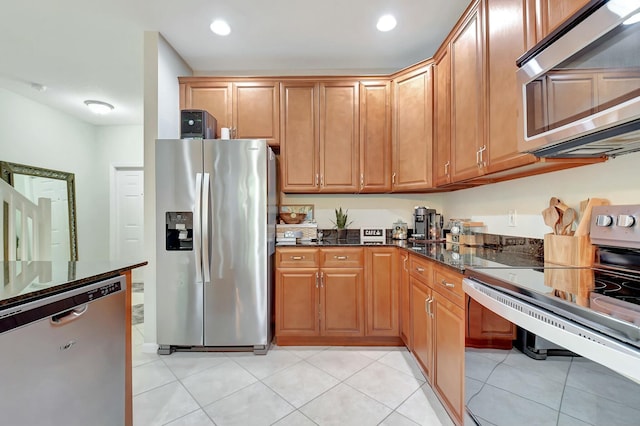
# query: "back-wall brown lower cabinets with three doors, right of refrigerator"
{"type": "Point", "coordinates": [321, 296]}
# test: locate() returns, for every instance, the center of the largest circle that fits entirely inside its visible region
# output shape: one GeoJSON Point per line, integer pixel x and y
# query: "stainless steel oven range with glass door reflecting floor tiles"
{"type": "Point", "coordinates": [591, 313]}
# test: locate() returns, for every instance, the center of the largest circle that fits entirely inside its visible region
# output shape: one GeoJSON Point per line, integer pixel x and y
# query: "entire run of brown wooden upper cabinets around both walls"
{"type": "Point", "coordinates": [438, 125]}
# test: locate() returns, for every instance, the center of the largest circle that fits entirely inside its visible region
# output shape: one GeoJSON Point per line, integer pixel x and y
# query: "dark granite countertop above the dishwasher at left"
{"type": "Point", "coordinates": [26, 281]}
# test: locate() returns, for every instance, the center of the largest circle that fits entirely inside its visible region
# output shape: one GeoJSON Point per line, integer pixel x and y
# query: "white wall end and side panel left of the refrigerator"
{"type": "Point", "coordinates": [162, 67]}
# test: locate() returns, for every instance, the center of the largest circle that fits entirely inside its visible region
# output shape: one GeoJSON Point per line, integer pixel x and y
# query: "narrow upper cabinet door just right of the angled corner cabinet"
{"type": "Point", "coordinates": [442, 118]}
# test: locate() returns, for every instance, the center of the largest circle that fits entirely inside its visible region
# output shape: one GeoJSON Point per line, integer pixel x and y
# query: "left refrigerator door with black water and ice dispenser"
{"type": "Point", "coordinates": [178, 272]}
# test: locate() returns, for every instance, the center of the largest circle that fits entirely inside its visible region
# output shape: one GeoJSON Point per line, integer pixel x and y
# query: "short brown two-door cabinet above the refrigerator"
{"type": "Point", "coordinates": [249, 108]}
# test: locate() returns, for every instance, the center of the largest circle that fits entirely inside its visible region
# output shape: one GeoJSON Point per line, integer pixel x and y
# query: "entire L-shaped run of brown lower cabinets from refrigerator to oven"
{"type": "Point", "coordinates": [385, 296]}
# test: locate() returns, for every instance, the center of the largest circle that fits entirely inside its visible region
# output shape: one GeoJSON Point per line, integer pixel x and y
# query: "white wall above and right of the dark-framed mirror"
{"type": "Point", "coordinates": [34, 134]}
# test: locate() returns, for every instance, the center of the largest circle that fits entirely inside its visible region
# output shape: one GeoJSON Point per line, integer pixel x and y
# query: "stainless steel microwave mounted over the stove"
{"type": "Point", "coordinates": [581, 85]}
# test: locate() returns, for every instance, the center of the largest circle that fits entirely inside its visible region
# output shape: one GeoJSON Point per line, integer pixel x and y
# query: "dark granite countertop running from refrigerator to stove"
{"type": "Point", "coordinates": [453, 255]}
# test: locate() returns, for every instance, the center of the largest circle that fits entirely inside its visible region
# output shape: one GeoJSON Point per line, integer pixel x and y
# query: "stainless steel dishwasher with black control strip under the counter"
{"type": "Point", "coordinates": [62, 358]}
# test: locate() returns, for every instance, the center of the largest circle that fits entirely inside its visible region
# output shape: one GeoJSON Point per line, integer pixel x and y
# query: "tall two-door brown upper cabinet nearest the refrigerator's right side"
{"type": "Point", "coordinates": [320, 136]}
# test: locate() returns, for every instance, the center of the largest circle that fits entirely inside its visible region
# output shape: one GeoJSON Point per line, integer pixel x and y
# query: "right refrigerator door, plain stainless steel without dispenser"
{"type": "Point", "coordinates": [236, 307]}
